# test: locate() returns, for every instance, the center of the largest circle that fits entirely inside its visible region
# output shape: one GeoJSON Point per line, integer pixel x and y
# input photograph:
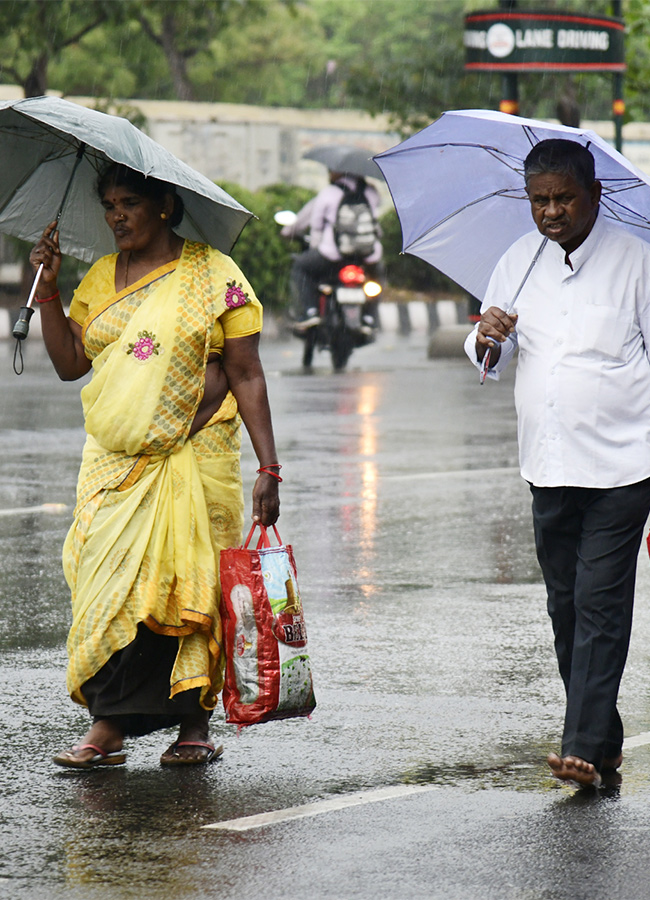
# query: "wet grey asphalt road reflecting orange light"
{"type": "Point", "coordinates": [432, 659]}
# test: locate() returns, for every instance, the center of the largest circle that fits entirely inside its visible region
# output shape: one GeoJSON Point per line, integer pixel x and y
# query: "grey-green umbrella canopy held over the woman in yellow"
{"type": "Point", "coordinates": [40, 139]}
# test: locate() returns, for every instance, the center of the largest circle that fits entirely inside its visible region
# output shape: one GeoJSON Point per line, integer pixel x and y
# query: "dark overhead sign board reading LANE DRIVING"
{"type": "Point", "coordinates": [499, 41]}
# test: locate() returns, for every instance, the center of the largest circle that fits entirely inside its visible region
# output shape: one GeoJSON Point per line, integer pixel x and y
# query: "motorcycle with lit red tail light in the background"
{"type": "Point", "coordinates": [346, 311]}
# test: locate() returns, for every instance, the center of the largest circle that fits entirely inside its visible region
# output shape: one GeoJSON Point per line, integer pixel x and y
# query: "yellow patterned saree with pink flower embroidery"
{"type": "Point", "coordinates": [154, 508]}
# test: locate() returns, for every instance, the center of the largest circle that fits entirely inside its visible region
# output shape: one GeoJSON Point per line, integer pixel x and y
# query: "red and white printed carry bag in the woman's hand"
{"type": "Point", "coordinates": [268, 674]}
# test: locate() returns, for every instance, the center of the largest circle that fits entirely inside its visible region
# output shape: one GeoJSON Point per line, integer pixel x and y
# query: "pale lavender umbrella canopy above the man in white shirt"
{"type": "Point", "coordinates": [458, 188]}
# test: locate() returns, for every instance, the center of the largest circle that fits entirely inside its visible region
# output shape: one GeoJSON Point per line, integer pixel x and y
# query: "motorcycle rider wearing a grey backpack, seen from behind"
{"type": "Point", "coordinates": [317, 223]}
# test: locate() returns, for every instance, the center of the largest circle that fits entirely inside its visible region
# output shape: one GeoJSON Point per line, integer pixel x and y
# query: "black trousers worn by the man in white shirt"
{"type": "Point", "coordinates": [587, 544]}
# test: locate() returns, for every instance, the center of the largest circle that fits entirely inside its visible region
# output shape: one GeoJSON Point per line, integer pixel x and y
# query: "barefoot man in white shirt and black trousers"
{"type": "Point", "coordinates": [581, 322]}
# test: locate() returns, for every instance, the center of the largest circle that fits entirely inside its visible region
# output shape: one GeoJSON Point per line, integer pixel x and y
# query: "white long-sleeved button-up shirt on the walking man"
{"type": "Point", "coordinates": [582, 388]}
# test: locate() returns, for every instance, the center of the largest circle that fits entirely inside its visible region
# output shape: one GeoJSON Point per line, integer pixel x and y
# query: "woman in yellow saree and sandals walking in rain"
{"type": "Point", "coordinates": [170, 329]}
